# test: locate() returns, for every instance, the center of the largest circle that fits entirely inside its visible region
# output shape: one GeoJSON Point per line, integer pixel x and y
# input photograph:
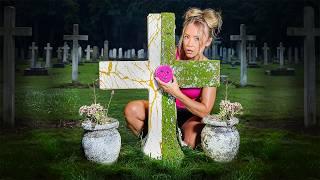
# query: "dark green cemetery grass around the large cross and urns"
{"type": "Point", "coordinates": [273, 142]}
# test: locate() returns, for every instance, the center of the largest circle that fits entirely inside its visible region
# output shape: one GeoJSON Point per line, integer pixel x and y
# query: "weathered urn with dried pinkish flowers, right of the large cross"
{"type": "Point", "coordinates": [220, 138]}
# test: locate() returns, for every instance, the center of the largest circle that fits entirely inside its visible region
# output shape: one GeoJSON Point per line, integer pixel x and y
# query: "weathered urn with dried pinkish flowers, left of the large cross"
{"type": "Point", "coordinates": [101, 141]}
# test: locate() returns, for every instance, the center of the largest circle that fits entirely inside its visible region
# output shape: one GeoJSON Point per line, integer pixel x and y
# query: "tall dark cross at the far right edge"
{"type": "Point", "coordinates": [309, 32]}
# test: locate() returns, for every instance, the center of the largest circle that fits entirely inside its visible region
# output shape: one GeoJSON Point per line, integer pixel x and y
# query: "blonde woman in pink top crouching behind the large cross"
{"type": "Point", "coordinates": [199, 30]}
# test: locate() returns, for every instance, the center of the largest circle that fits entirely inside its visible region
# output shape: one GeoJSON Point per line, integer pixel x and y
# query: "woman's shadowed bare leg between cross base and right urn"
{"type": "Point", "coordinates": [192, 131]}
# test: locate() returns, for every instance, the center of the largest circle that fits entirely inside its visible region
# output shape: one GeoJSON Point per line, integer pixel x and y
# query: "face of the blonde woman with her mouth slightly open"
{"type": "Point", "coordinates": [194, 41]}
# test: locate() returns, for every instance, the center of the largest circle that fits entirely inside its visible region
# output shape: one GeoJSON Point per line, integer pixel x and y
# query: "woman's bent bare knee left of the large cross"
{"type": "Point", "coordinates": [136, 112]}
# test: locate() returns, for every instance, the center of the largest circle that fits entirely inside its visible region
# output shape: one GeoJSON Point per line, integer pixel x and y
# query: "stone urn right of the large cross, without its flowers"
{"type": "Point", "coordinates": [220, 139]}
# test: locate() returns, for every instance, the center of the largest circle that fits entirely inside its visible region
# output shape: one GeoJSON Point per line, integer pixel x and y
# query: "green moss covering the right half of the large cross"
{"type": "Point", "coordinates": [189, 74]}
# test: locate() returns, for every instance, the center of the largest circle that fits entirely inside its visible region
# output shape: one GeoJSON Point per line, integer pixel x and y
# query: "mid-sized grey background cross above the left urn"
{"type": "Point", "coordinates": [75, 37]}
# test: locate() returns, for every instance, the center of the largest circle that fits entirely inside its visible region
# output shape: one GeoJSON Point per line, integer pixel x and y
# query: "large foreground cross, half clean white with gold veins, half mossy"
{"type": "Point", "coordinates": [161, 142]}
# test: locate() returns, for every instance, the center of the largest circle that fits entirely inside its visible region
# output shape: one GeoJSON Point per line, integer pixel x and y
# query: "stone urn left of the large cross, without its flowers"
{"type": "Point", "coordinates": [101, 143]}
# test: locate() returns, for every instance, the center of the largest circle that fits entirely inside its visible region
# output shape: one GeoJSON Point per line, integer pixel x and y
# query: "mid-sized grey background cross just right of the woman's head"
{"type": "Point", "coordinates": [243, 38]}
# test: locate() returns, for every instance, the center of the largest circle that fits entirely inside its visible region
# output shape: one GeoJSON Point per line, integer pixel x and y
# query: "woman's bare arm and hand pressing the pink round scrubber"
{"type": "Point", "coordinates": [201, 108]}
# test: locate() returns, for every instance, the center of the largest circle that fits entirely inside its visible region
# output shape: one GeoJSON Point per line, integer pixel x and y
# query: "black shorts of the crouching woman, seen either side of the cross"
{"type": "Point", "coordinates": [182, 116]}
